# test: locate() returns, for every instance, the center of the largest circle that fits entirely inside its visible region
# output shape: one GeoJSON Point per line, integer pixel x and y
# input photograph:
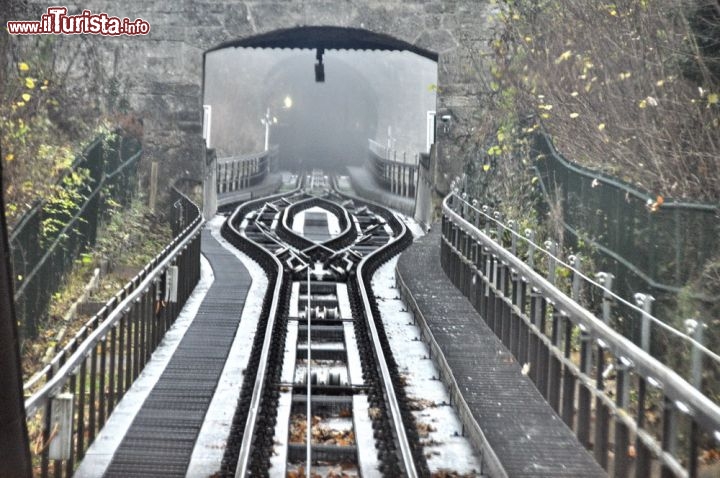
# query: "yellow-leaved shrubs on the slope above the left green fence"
{"type": "Point", "coordinates": [45, 120]}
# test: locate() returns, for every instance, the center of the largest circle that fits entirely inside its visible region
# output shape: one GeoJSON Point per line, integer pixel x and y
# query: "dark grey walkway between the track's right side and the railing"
{"type": "Point", "coordinates": [525, 433]}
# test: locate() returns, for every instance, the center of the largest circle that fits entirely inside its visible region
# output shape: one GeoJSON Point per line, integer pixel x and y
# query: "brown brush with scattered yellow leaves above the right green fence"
{"type": "Point", "coordinates": [630, 88]}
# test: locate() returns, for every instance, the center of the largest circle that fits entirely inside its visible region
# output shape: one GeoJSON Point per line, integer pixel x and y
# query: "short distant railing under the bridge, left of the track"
{"type": "Point", "coordinates": [242, 172]}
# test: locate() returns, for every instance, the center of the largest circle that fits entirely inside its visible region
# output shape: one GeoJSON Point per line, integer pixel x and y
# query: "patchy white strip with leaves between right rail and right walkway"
{"type": "Point", "coordinates": [446, 448]}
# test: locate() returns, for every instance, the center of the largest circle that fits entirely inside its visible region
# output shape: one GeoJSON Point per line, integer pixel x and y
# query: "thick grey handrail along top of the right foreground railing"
{"type": "Point", "coordinates": [705, 412]}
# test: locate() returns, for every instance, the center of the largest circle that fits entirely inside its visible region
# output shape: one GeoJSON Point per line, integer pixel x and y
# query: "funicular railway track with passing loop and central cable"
{"type": "Point", "coordinates": [320, 320]}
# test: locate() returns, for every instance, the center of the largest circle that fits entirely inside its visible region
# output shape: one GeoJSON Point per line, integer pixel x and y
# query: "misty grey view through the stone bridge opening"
{"type": "Point", "coordinates": [365, 95]}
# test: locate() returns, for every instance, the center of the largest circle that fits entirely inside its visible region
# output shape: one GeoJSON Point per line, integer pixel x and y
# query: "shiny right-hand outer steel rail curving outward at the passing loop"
{"type": "Point", "coordinates": [393, 405]}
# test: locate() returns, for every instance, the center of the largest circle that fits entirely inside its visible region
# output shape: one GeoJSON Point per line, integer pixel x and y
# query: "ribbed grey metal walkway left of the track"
{"type": "Point", "coordinates": [161, 438]}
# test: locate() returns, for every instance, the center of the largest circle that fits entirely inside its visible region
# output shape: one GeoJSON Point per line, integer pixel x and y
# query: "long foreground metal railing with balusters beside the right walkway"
{"type": "Point", "coordinates": [598, 381]}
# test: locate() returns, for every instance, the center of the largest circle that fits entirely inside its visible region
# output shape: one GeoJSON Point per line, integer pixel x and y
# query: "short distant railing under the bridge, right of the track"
{"type": "Point", "coordinates": [398, 175]}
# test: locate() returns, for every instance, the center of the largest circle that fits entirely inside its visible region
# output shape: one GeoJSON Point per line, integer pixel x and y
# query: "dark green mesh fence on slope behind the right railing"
{"type": "Point", "coordinates": [647, 241]}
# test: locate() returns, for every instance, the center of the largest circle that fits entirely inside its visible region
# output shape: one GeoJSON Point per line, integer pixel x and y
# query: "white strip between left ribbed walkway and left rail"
{"type": "Point", "coordinates": [210, 445]}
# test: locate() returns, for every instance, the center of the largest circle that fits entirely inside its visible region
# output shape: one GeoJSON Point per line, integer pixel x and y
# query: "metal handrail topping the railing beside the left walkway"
{"type": "Point", "coordinates": [60, 378]}
